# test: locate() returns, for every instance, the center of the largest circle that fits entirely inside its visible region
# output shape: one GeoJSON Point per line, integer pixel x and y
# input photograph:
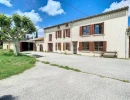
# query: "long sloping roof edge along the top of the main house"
{"type": "Point", "coordinates": [104, 13]}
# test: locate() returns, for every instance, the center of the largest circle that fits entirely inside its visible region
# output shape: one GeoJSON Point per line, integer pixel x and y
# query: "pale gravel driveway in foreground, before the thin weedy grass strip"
{"type": "Point", "coordinates": [44, 82]}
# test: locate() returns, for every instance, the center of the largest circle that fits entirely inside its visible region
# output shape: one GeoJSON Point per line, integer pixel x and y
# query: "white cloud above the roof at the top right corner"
{"type": "Point", "coordinates": [116, 5]}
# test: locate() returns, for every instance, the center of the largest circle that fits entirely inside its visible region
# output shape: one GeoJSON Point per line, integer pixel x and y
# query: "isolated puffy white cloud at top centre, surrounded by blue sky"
{"type": "Point", "coordinates": [52, 8]}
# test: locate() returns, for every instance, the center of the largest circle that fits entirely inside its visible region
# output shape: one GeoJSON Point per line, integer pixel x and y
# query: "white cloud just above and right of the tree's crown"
{"type": "Point", "coordinates": [35, 17]}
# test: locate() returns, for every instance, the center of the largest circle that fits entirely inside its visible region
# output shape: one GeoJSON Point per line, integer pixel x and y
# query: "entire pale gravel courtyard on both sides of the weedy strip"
{"type": "Point", "coordinates": [46, 82]}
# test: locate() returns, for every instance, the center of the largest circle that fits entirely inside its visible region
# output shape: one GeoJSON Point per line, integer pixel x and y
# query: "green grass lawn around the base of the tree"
{"type": "Point", "coordinates": [12, 65]}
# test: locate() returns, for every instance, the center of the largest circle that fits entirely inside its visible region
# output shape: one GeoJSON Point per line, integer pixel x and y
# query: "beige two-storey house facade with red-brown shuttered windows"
{"type": "Point", "coordinates": [112, 38]}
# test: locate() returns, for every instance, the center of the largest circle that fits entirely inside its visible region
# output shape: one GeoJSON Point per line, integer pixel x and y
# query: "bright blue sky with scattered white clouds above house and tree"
{"type": "Point", "coordinates": [45, 13]}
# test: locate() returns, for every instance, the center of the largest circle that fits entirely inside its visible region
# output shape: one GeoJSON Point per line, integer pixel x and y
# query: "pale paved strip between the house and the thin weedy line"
{"type": "Point", "coordinates": [113, 68]}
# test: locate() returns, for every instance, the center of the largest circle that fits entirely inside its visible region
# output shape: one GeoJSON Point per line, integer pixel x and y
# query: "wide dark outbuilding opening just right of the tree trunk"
{"type": "Point", "coordinates": [27, 46]}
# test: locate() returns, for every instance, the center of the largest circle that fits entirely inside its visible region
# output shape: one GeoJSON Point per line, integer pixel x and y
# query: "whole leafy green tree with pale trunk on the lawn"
{"type": "Point", "coordinates": [15, 28]}
